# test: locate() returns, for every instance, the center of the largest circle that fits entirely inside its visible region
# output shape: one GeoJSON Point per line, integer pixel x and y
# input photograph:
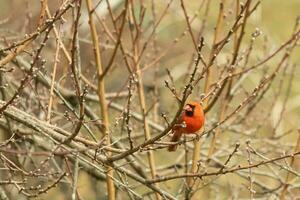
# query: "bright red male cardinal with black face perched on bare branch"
{"type": "Point", "coordinates": [191, 120]}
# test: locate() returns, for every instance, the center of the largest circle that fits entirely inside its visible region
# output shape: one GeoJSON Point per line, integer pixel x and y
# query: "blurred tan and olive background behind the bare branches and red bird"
{"type": "Point", "coordinates": [166, 45]}
